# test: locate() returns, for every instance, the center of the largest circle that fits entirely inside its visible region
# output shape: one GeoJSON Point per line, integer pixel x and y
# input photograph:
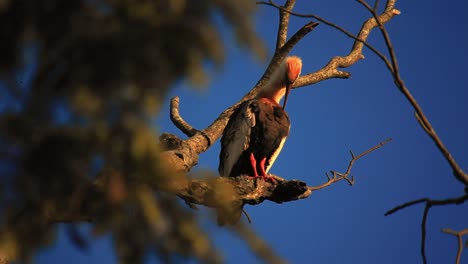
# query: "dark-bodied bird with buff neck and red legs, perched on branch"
{"type": "Point", "coordinates": [258, 128]}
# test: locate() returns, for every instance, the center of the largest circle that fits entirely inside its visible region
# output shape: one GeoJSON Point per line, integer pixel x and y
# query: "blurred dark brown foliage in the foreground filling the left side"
{"type": "Point", "coordinates": [80, 80]}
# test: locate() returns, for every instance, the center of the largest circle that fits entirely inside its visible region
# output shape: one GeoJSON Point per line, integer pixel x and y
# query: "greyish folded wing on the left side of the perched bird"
{"type": "Point", "coordinates": [236, 137]}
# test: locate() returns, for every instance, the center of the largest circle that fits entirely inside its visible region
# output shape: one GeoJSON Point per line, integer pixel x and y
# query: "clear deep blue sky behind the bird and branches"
{"type": "Point", "coordinates": [343, 224]}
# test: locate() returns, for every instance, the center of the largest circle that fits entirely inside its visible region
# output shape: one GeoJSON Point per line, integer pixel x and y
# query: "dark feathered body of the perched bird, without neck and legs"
{"type": "Point", "coordinates": [263, 126]}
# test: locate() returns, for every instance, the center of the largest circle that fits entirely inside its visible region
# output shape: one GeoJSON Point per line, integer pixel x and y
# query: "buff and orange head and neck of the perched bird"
{"type": "Point", "coordinates": [282, 79]}
